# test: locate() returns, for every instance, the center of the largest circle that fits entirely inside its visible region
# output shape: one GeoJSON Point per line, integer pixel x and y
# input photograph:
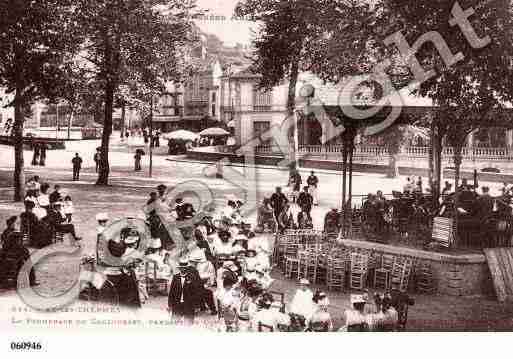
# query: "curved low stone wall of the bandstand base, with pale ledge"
{"type": "Point", "coordinates": [456, 275]}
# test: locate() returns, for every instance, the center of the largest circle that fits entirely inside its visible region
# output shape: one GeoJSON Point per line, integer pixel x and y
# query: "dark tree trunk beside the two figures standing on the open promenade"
{"type": "Point", "coordinates": [104, 168]}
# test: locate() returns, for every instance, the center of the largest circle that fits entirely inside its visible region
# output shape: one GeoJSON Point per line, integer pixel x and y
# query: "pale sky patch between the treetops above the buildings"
{"type": "Point", "coordinates": [229, 31]}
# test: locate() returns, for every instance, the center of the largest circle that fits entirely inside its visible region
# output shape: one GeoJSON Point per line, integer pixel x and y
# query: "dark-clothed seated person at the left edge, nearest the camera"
{"type": "Point", "coordinates": [13, 257]}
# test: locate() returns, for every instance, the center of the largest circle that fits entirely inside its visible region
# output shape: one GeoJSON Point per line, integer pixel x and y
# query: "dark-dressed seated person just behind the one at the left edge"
{"type": "Point", "coordinates": [38, 232]}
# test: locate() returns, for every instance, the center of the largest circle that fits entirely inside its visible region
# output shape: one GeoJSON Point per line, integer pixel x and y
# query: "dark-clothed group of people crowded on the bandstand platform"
{"type": "Point", "coordinates": [412, 211]}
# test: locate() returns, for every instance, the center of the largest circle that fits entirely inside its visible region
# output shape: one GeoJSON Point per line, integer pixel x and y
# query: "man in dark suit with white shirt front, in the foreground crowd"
{"type": "Point", "coordinates": [185, 293]}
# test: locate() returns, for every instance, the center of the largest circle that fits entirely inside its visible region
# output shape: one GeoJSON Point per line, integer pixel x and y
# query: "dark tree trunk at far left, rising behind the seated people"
{"type": "Point", "coordinates": [19, 164]}
